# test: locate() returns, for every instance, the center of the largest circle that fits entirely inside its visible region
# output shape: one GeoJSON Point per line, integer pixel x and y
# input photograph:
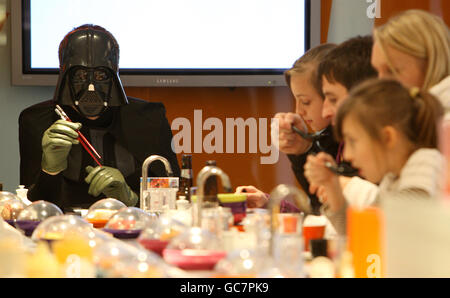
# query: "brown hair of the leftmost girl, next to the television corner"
{"type": "Point", "coordinates": [310, 62]}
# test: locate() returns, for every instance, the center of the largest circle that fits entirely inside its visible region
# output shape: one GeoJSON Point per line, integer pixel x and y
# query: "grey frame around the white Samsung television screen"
{"type": "Point", "coordinates": [19, 77]}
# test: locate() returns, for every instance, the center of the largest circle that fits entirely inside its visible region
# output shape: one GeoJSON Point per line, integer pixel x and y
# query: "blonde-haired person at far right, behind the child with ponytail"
{"type": "Point", "coordinates": [414, 48]}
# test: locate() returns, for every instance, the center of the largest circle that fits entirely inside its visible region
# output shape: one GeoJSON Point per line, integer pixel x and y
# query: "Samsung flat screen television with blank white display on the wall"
{"type": "Point", "coordinates": [198, 43]}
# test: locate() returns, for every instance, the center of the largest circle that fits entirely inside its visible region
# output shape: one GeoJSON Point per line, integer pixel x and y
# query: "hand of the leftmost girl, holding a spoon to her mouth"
{"type": "Point", "coordinates": [290, 142]}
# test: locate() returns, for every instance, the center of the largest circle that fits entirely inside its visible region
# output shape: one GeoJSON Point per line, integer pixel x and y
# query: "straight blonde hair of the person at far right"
{"type": "Point", "coordinates": [422, 35]}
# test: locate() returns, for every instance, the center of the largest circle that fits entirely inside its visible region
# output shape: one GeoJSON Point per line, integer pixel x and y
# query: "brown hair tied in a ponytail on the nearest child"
{"type": "Point", "coordinates": [378, 103]}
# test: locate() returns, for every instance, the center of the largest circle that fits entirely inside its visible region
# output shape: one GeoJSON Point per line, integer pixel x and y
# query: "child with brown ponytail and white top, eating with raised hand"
{"type": "Point", "coordinates": [391, 137]}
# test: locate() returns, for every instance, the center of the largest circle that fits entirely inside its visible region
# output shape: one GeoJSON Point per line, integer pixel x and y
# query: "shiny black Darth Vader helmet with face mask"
{"type": "Point", "coordinates": [89, 71]}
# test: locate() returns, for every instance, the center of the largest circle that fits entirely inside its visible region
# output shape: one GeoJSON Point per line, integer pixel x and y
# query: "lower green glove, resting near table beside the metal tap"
{"type": "Point", "coordinates": [110, 182]}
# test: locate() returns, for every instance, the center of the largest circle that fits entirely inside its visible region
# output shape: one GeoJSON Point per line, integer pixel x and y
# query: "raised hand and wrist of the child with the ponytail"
{"type": "Point", "coordinates": [324, 183]}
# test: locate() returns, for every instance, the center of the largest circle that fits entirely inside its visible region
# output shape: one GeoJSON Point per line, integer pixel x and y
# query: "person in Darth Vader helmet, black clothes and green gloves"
{"type": "Point", "coordinates": [123, 130]}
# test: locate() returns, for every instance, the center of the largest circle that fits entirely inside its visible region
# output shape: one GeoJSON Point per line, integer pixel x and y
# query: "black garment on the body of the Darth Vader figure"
{"type": "Point", "coordinates": [126, 135]}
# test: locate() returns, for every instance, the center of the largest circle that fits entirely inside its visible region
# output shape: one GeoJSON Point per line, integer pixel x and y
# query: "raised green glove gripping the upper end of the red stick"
{"type": "Point", "coordinates": [56, 144]}
